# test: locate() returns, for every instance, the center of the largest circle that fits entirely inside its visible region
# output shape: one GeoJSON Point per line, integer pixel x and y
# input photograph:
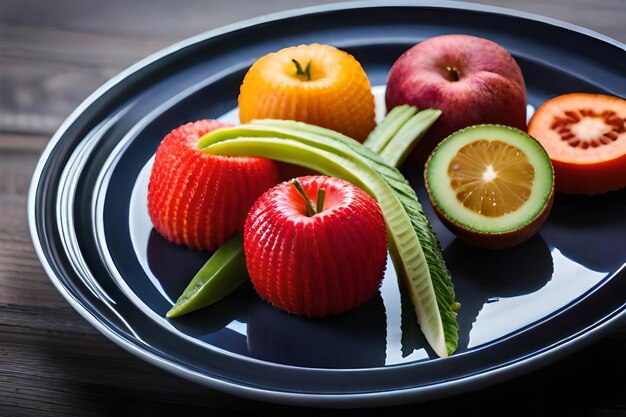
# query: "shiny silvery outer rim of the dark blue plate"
{"type": "Point", "coordinates": [601, 326]}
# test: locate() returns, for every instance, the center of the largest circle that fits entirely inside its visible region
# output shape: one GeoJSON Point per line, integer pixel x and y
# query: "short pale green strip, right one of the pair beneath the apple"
{"type": "Point", "coordinates": [407, 138]}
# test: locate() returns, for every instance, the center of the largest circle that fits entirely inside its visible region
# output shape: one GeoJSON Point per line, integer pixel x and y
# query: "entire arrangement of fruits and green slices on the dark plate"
{"type": "Point", "coordinates": [316, 245]}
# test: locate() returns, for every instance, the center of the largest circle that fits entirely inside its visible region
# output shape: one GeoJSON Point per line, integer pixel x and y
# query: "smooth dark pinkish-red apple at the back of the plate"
{"type": "Point", "coordinates": [471, 80]}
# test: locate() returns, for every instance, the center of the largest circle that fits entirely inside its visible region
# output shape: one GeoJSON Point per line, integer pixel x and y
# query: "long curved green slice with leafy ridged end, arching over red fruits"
{"type": "Point", "coordinates": [413, 245]}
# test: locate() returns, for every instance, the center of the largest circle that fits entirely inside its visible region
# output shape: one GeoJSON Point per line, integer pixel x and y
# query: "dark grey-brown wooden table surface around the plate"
{"type": "Point", "coordinates": [53, 54]}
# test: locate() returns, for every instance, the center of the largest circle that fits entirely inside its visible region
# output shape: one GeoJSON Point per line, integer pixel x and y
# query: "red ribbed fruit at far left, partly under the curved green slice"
{"type": "Point", "coordinates": [200, 200]}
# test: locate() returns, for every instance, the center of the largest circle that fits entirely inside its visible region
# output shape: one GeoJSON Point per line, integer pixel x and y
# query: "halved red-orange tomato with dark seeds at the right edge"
{"type": "Point", "coordinates": [585, 137]}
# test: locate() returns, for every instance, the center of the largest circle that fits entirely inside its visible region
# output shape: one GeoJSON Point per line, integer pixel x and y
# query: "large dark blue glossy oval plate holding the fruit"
{"type": "Point", "coordinates": [522, 308]}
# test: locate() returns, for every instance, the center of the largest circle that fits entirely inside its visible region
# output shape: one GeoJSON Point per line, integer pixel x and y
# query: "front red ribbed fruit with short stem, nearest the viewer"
{"type": "Point", "coordinates": [319, 265]}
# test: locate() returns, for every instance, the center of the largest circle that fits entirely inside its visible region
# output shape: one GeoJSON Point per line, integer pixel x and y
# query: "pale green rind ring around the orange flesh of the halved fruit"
{"type": "Point", "coordinates": [522, 140]}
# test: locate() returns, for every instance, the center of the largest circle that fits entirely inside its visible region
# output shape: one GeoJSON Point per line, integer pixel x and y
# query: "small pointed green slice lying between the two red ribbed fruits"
{"type": "Point", "coordinates": [221, 275]}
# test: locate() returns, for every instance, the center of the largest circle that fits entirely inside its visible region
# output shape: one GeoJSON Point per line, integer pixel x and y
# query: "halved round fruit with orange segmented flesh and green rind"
{"type": "Point", "coordinates": [491, 185]}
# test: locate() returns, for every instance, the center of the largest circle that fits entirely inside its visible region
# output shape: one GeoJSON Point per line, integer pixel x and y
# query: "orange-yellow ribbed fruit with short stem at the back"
{"type": "Point", "coordinates": [317, 84]}
